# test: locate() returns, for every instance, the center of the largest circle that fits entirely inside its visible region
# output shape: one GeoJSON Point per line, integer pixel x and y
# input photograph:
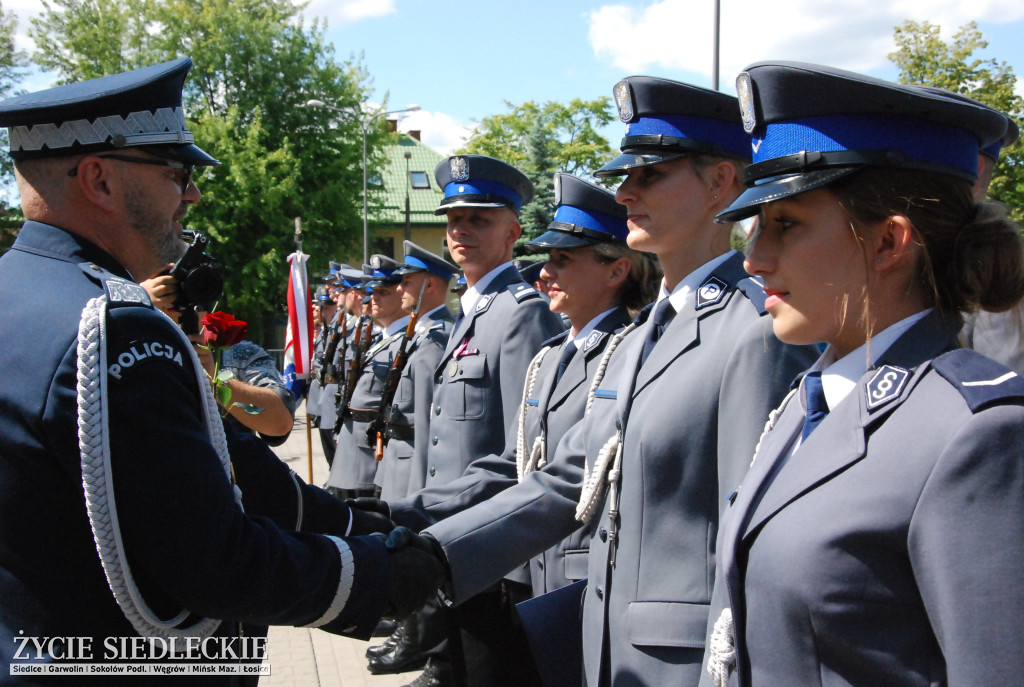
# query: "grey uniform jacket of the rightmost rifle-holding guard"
{"type": "Point", "coordinates": [413, 403]}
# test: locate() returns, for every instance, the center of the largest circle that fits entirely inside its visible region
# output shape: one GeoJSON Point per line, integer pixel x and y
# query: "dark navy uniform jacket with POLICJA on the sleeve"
{"type": "Point", "coordinates": [189, 545]}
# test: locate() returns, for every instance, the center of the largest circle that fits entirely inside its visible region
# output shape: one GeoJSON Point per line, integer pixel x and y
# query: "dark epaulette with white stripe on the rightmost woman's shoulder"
{"type": "Point", "coordinates": [982, 381]}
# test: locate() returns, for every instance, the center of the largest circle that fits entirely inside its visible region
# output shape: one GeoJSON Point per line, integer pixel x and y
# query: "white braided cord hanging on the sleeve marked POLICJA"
{"type": "Point", "coordinates": [95, 446]}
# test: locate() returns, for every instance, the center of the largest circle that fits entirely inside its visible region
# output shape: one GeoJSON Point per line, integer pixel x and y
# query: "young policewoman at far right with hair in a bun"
{"type": "Point", "coordinates": [878, 537]}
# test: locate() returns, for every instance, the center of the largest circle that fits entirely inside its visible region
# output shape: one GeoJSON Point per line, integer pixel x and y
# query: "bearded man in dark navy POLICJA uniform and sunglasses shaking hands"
{"type": "Point", "coordinates": [118, 518]}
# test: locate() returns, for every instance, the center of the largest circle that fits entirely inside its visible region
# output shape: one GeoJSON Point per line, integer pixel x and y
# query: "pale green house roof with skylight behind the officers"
{"type": "Point", "coordinates": [390, 202]}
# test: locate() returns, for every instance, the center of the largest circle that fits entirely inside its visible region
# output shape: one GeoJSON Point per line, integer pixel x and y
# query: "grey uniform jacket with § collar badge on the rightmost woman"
{"type": "Point", "coordinates": [888, 549]}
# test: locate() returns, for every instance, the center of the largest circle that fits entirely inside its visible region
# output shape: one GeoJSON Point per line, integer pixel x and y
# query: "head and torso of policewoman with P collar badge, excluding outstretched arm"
{"type": "Point", "coordinates": [680, 409]}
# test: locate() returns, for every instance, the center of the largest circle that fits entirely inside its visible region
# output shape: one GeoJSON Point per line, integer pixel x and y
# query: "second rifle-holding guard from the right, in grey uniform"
{"type": "Point", "coordinates": [356, 466]}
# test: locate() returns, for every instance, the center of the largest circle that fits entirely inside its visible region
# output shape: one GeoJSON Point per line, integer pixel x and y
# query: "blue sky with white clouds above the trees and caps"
{"type": "Point", "coordinates": [461, 61]}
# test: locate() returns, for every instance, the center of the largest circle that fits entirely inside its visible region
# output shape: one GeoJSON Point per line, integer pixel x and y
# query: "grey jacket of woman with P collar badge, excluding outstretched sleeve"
{"type": "Point", "coordinates": [690, 418]}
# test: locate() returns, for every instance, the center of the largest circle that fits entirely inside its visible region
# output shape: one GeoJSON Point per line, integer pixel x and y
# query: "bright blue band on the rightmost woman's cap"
{"type": "Point", "coordinates": [919, 141]}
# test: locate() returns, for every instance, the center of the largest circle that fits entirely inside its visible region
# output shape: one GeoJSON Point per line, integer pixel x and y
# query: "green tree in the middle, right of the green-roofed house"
{"type": "Point", "coordinates": [541, 141]}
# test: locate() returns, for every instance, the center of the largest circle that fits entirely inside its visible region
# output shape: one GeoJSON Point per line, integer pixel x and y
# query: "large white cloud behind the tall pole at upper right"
{"type": "Point", "coordinates": [677, 34]}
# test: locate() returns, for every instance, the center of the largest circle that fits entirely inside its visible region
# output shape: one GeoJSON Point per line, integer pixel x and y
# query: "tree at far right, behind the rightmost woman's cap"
{"type": "Point", "coordinates": [924, 59]}
